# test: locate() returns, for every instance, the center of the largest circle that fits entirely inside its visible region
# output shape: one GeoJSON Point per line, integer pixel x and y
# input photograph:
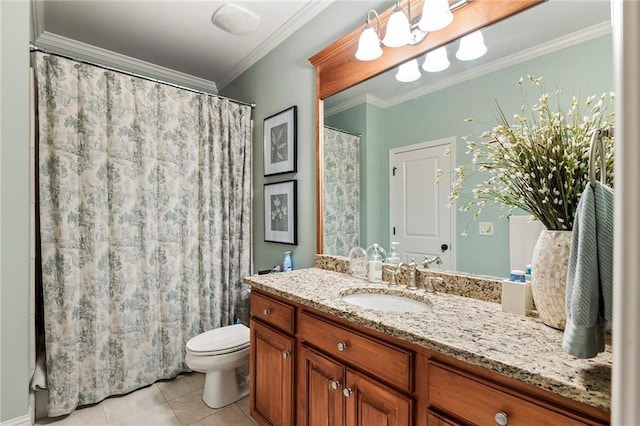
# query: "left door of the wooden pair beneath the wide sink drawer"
{"type": "Point", "coordinates": [321, 383]}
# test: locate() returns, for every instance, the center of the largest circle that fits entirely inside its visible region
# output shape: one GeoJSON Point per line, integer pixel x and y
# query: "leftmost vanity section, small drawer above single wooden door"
{"type": "Point", "coordinates": [272, 357]}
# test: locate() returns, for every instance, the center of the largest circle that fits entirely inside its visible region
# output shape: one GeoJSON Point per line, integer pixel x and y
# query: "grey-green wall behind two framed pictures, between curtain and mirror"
{"type": "Point", "coordinates": [283, 78]}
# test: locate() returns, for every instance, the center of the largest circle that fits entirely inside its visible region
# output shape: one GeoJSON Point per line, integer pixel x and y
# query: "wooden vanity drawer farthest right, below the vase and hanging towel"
{"type": "Point", "coordinates": [477, 403]}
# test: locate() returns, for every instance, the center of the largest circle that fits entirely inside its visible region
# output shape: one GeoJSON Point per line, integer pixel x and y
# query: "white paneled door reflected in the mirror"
{"type": "Point", "coordinates": [420, 218]}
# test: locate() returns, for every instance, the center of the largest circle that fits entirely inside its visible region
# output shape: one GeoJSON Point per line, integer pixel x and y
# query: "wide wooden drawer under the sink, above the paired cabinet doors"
{"type": "Point", "coordinates": [382, 360]}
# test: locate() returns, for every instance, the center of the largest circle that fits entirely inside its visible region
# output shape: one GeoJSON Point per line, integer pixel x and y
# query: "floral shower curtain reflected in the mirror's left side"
{"type": "Point", "coordinates": [341, 193]}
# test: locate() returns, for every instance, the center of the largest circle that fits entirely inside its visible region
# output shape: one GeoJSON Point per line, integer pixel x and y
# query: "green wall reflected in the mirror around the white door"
{"type": "Point", "coordinates": [441, 114]}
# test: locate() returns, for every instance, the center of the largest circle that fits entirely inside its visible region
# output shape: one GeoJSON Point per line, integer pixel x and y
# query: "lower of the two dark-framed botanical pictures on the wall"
{"type": "Point", "coordinates": [280, 212]}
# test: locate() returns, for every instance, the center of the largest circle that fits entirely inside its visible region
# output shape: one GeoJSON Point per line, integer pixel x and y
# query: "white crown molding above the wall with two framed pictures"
{"type": "Point", "coordinates": [304, 15]}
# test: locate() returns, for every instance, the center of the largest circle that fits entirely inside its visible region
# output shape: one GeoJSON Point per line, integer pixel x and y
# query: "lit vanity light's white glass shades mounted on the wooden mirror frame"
{"type": "Point", "coordinates": [402, 30]}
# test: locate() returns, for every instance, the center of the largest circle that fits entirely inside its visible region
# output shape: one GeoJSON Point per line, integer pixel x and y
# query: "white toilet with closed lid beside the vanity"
{"type": "Point", "coordinates": [219, 353]}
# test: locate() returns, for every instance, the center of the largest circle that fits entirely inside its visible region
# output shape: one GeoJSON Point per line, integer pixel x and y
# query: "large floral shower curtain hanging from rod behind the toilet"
{"type": "Point", "coordinates": [145, 226]}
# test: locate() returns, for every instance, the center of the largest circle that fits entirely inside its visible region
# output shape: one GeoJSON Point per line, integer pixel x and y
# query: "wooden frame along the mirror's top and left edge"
{"type": "Point", "coordinates": [337, 68]}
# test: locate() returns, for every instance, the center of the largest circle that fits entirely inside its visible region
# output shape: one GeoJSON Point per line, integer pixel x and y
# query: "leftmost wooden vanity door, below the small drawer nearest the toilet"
{"type": "Point", "coordinates": [271, 370]}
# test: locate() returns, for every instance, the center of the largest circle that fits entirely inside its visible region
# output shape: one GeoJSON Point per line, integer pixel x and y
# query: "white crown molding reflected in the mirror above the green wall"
{"type": "Point", "coordinates": [568, 40]}
